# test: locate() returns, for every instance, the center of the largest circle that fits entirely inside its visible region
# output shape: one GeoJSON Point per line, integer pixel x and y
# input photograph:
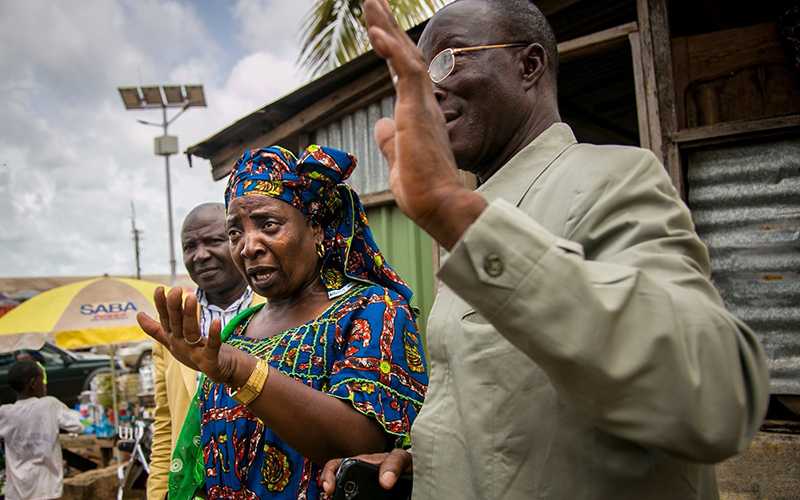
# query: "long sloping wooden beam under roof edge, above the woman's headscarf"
{"type": "Point", "coordinates": [304, 120]}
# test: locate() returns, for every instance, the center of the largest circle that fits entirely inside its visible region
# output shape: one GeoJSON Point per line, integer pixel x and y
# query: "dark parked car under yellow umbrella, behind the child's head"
{"type": "Point", "coordinates": [68, 373]}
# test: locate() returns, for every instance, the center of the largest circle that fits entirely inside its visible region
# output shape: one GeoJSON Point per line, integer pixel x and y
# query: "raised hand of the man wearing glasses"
{"type": "Point", "coordinates": [422, 170]}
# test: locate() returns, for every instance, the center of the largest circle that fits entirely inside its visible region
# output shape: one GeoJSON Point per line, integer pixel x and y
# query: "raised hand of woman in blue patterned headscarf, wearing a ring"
{"type": "Point", "coordinates": [179, 331]}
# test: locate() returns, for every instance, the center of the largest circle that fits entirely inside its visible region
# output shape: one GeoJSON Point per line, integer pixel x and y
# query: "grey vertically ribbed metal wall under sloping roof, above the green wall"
{"type": "Point", "coordinates": [353, 133]}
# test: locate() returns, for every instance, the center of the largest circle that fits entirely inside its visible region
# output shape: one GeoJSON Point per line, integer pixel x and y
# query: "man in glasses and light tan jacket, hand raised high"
{"type": "Point", "coordinates": [578, 350]}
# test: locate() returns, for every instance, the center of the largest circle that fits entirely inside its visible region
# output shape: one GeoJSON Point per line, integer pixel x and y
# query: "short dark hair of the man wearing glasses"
{"type": "Point", "coordinates": [522, 21]}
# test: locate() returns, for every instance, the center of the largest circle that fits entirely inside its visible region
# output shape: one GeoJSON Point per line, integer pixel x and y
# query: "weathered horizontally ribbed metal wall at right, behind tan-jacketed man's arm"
{"type": "Point", "coordinates": [745, 200]}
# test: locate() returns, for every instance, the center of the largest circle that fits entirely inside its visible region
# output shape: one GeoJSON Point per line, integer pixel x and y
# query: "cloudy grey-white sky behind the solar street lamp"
{"type": "Point", "coordinates": [72, 158]}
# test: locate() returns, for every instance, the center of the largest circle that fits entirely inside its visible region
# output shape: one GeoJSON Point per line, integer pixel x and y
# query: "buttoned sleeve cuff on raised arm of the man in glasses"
{"type": "Point", "coordinates": [496, 254]}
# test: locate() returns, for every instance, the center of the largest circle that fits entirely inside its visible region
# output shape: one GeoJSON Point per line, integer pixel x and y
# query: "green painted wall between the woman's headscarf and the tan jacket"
{"type": "Point", "coordinates": [409, 250]}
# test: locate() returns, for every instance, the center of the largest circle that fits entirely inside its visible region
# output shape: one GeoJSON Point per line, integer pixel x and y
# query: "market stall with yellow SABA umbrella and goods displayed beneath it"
{"type": "Point", "coordinates": [90, 313]}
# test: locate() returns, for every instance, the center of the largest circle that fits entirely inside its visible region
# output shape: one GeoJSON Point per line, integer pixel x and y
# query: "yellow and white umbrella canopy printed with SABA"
{"type": "Point", "coordinates": [98, 311]}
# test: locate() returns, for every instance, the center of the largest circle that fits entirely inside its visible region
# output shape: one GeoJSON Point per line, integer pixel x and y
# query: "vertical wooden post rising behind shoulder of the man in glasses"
{"type": "Point", "coordinates": [659, 88]}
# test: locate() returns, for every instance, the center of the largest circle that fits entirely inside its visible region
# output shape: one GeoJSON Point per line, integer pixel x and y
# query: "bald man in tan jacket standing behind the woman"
{"type": "Point", "coordinates": [222, 294]}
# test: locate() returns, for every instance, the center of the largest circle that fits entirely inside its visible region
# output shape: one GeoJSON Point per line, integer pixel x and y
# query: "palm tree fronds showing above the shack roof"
{"type": "Point", "coordinates": [334, 31]}
